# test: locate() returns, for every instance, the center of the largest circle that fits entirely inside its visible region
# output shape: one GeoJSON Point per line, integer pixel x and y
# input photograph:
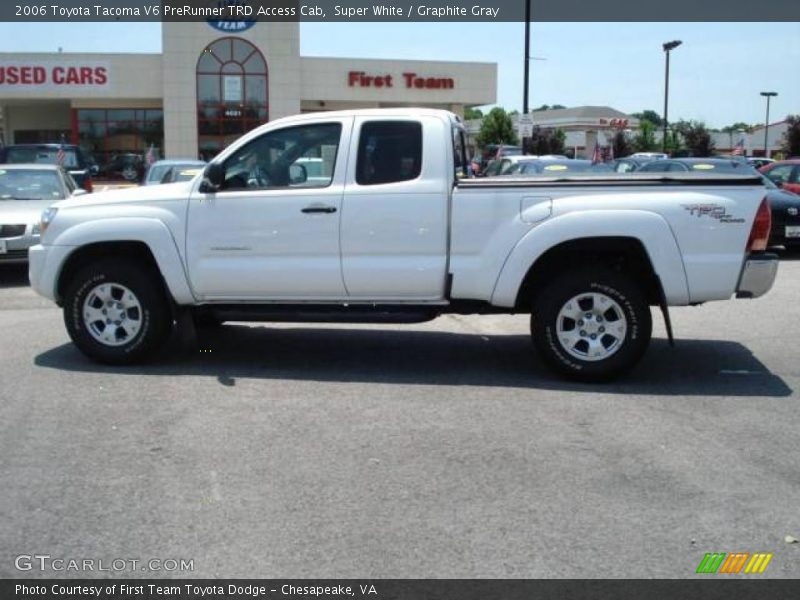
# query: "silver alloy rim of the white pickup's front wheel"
{"type": "Point", "coordinates": [112, 314]}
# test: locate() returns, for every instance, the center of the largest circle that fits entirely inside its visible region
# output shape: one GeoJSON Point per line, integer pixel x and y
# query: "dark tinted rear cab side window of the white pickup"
{"type": "Point", "coordinates": [388, 152]}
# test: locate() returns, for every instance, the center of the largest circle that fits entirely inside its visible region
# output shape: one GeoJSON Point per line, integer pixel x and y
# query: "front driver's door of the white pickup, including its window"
{"type": "Point", "coordinates": [272, 231]}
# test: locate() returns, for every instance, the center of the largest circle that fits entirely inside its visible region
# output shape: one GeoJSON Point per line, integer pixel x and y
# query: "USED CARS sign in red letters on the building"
{"type": "Point", "coordinates": [53, 75]}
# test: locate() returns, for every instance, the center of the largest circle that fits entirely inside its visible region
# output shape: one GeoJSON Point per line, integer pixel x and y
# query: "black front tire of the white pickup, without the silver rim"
{"type": "Point", "coordinates": [153, 318]}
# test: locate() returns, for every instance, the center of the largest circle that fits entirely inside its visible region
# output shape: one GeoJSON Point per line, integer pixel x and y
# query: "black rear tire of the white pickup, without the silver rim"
{"type": "Point", "coordinates": [628, 349]}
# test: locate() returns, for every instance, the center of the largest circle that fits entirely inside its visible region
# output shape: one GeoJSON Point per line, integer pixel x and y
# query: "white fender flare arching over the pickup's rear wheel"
{"type": "Point", "coordinates": [649, 228]}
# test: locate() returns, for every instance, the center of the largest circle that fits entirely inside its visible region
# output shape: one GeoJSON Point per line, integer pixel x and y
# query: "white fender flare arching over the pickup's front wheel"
{"type": "Point", "coordinates": [151, 232]}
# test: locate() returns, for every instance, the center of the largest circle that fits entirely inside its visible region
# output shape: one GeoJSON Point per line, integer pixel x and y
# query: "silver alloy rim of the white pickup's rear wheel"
{"type": "Point", "coordinates": [591, 326]}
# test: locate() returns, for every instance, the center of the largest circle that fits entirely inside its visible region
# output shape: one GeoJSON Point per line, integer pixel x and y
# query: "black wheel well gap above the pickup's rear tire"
{"type": "Point", "coordinates": [617, 253]}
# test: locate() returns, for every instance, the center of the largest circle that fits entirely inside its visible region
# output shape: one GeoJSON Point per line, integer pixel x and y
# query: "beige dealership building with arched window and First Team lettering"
{"type": "Point", "coordinates": [212, 82]}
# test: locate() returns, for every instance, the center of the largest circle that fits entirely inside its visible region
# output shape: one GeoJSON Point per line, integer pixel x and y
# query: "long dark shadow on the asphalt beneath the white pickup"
{"type": "Point", "coordinates": [232, 352]}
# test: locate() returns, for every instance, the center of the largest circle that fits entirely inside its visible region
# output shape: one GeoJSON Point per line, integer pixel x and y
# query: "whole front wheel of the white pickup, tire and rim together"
{"type": "Point", "coordinates": [116, 311]}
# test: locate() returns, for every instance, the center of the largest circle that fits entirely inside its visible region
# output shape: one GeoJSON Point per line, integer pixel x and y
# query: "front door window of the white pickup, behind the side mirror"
{"type": "Point", "coordinates": [295, 157]}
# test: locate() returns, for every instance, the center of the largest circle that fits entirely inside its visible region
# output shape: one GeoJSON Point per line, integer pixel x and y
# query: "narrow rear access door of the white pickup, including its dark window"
{"type": "Point", "coordinates": [396, 209]}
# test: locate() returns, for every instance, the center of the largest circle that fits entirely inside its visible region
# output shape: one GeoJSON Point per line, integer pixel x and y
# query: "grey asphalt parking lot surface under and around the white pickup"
{"type": "Point", "coordinates": [436, 450]}
